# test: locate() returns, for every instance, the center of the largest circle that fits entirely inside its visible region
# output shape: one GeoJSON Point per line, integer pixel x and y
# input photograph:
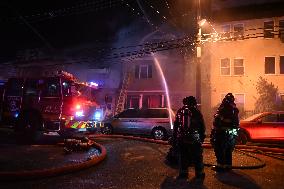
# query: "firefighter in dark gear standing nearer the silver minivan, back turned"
{"type": "Point", "coordinates": [188, 136]}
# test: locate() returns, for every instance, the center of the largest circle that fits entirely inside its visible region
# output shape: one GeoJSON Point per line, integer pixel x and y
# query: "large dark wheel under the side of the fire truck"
{"type": "Point", "coordinates": [27, 128]}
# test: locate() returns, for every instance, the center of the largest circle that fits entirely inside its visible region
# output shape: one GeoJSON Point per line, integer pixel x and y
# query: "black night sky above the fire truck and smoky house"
{"type": "Point", "coordinates": [61, 24]}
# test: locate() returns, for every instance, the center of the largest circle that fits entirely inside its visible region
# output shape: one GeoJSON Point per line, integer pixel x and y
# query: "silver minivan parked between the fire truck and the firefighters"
{"type": "Point", "coordinates": [153, 122]}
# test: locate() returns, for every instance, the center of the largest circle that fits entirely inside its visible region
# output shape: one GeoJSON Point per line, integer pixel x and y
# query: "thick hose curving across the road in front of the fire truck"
{"type": "Point", "coordinates": [42, 173]}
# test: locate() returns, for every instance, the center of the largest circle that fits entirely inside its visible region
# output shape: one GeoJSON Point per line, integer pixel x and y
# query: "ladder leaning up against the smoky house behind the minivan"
{"type": "Point", "coordinates": [122, 93]}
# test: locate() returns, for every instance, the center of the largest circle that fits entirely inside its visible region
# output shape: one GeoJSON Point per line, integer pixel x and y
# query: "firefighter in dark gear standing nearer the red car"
{"type": "Point", "coordinates": [224, 133]}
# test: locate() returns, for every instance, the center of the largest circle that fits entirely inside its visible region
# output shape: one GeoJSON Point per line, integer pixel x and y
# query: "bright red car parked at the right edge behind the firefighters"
{"type": "Point", "coordinates": [265, 126]}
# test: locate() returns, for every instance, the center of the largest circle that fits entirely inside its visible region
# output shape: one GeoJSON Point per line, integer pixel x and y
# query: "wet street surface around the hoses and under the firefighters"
{"type": "Point", "coordinates": [134, 164]}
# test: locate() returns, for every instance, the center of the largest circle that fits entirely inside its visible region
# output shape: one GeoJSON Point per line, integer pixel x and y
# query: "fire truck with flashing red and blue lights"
{"type": "Point", "coordinates": [57, 103]}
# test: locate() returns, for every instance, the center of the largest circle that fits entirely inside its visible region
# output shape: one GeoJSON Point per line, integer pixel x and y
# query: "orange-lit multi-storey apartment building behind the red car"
{"type": "Point", "coordinates": [247, 43]}
